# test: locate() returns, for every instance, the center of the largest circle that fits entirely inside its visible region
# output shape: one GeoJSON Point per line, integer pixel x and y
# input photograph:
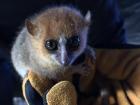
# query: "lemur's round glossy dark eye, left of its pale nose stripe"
{"type": "Point", "coordinates": [51, 45]}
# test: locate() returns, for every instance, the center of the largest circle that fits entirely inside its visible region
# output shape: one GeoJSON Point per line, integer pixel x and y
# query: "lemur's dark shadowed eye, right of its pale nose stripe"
{"type": "Point", "coordinates": [73, 43]}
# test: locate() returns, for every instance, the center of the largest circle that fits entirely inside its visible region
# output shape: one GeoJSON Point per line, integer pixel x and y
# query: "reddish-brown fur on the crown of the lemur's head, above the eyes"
{"type": "Point", "coordinates": [63, 20]}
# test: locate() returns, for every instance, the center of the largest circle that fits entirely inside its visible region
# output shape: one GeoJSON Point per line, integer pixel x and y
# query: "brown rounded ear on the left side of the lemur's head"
{"type": "Point", "coordinates": [32, 28]}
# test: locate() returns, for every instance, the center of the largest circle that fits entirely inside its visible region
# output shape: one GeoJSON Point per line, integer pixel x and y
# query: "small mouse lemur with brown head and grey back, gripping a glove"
{"type": "Point", "coordinates": [51, 42]}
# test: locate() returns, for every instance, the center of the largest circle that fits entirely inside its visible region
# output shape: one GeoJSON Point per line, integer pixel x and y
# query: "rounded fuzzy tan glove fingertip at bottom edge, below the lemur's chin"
{"type": "Point", "coordinates": [63, 93]}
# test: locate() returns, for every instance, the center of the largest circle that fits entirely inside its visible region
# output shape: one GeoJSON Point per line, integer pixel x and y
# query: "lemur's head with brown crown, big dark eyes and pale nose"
{"type": "Point", "coordinates": [59, 34]}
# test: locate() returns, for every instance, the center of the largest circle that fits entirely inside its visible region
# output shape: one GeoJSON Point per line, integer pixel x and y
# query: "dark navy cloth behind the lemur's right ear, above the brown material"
{"type": "Point", "coordinates": [107, 22]}
